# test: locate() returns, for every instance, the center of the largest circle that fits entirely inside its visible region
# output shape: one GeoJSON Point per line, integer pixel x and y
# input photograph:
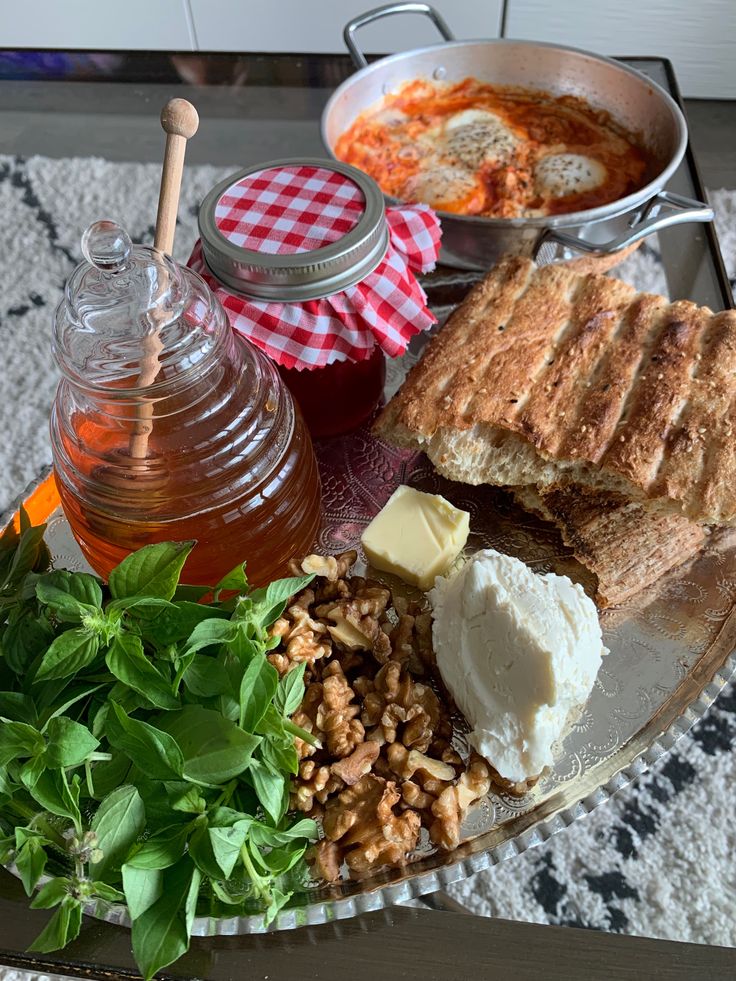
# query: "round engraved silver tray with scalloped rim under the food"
{"type": "Point", "coordinates": [671, 651]}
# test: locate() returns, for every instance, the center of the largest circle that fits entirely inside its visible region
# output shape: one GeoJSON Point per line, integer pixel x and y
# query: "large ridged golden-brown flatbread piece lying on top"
{"type": "Point", "coordinates": [547, 374]}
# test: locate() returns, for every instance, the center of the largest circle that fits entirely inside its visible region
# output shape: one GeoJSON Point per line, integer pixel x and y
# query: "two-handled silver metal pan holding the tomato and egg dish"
{"type": "Point", "coordinates": [634, 101]}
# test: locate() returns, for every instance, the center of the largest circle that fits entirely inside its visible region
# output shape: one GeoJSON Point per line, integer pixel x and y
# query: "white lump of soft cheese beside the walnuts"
{"type": "Point", "coordinates": [519, 653]}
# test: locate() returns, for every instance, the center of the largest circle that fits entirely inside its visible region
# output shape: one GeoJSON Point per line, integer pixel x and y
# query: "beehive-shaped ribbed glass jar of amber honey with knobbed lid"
{"type": "Point", "coordinates": [169, 426]}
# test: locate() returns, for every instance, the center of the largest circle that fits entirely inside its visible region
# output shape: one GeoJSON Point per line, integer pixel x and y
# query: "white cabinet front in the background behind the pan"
{"type": "Point", "coordinates": [699, 36]}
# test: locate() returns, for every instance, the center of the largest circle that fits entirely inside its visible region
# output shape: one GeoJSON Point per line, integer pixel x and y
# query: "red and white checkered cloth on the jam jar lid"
{"type": "Point", "coordinates": [294, 209]}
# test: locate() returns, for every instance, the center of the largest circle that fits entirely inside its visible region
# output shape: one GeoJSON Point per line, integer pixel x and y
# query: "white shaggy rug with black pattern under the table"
{"type": "Point", "coordinates": [658, 860]}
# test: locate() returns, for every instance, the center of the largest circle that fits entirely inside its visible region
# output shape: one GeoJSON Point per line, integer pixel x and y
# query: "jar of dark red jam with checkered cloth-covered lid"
{"type": "Point", "coordinates": [310, 266]}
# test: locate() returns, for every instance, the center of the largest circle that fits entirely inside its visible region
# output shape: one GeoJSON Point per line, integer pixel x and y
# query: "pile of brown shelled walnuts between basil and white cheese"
{"type": "Point", "coordinates": [385, 766]}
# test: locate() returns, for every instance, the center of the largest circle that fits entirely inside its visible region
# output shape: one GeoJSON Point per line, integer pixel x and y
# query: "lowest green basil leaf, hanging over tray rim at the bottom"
{"type": "Point", "coordinates": [160, 934]}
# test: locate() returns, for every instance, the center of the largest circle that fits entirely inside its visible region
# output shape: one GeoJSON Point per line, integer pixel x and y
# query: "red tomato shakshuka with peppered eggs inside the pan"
{"type": "Point", "coordinates": [500, 152]}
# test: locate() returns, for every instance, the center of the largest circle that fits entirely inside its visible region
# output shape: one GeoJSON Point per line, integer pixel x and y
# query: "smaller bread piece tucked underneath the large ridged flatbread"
{"type": "Point", "coordinates": [626, 545]}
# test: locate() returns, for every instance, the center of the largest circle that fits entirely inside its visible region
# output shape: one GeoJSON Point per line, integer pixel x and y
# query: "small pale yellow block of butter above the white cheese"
{"type": "Point", "coordinates": [416, 536]}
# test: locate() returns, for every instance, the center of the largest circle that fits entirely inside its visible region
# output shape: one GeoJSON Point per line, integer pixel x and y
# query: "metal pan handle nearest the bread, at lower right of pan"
{"type": "Point", "coordinates": [661, 211]}
